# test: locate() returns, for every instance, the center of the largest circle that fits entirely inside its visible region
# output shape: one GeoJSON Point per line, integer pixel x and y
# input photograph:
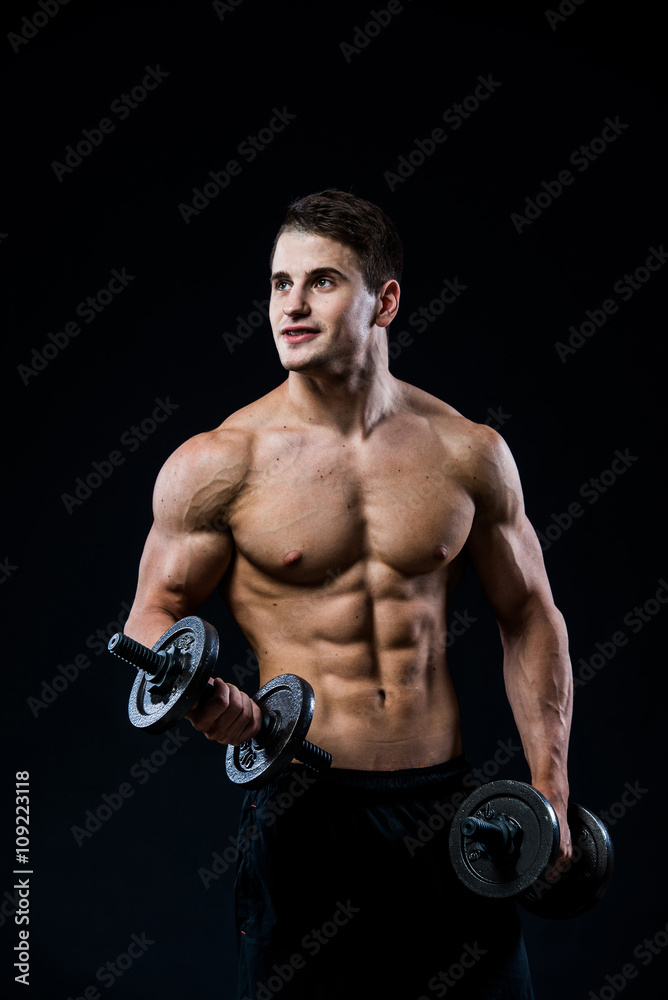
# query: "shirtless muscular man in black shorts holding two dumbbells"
{"type": "Point", "coordinates": [336, 514]}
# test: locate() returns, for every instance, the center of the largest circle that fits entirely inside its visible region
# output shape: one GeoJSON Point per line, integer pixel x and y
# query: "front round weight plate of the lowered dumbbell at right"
{"type": "Point", "coordinates": [537, 845]}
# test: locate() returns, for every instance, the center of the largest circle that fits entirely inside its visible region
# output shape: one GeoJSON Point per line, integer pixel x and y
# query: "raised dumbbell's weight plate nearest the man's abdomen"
{"type": "Point", "coordinates": [290, 700]}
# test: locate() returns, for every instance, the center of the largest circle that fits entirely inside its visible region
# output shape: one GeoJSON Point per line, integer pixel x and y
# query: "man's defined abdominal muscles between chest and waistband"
{"type": "Point", "coordinates": [371, 642]}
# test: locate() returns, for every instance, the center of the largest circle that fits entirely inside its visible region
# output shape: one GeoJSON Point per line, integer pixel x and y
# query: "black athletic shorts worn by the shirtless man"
{"type": "Point", "coordinates": [344, 890]}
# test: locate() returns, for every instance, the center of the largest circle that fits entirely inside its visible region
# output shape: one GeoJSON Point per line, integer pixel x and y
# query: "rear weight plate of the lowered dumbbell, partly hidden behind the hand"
{"type": "Point", "coordinates": [585, 879]}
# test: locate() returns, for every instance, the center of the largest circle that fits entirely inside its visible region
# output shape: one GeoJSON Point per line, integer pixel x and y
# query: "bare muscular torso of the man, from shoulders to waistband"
{"type": "Point", "coordinates": [345, 552]}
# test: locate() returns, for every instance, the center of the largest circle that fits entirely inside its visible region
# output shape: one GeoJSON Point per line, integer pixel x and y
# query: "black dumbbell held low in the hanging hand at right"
{"type": "Point", "coordinates": [504, 841]}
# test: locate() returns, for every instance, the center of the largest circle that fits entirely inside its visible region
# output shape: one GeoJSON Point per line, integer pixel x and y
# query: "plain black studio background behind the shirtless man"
{"type": "Point", "coordinates": [69, 568]}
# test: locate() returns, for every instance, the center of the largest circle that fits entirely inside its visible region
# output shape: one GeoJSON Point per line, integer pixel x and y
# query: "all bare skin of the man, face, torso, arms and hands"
{"type": "Point", "coordinates": [335, 515]}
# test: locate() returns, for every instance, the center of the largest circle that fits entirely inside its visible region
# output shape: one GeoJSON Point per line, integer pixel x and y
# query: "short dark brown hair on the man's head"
{"type": "Point", "coordinates": [356, 223]}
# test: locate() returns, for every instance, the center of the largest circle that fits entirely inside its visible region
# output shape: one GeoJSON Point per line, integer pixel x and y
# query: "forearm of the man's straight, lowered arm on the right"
{"type": "Point", "coordinates": [539, 685]}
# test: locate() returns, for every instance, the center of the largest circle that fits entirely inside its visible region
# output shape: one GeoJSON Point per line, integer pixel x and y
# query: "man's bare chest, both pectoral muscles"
{"type": "Point", "coordinates": [310, 514]}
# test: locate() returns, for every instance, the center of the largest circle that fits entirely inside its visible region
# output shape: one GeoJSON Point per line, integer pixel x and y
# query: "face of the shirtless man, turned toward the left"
{"type": "Point", "coordinates": [321, 313]}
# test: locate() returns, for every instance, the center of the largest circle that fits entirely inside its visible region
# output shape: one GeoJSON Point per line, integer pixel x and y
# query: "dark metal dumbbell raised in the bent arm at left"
{"type": "Point", "coordinates": [173, 677]}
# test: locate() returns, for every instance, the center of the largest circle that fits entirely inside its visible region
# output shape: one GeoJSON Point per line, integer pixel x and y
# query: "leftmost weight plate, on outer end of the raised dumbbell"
{"type": "Point", "coordinates": [194, 645]}
